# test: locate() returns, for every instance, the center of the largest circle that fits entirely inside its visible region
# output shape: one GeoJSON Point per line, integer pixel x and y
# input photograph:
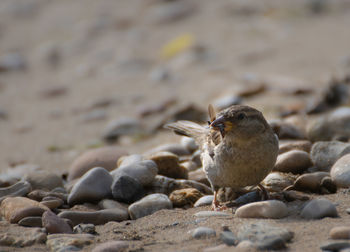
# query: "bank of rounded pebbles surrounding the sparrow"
{"type": "Point", "coordinates": [108, 185]}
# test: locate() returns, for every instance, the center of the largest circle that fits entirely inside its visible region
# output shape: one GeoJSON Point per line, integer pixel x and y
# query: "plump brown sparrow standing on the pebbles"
{"type": "Point", "coordinates": [238, 147]}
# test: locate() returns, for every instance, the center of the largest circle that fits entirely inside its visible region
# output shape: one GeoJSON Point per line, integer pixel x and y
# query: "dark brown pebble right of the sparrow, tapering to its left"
{"type": "Point", "coordinates": [313, 182]}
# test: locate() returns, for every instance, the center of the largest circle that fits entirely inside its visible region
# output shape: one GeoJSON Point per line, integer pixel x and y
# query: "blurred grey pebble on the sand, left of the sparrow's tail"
{"type": "Point", "coordinates": [121, 127]}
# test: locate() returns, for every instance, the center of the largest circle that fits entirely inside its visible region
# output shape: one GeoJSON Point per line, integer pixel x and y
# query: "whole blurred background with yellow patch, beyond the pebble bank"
{"type": "Point", "coordinates": [76, 75]}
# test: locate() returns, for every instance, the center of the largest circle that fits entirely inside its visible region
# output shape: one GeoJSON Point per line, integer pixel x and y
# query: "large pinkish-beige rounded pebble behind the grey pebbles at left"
{"type": "Point", "coordinates": [105, 157]}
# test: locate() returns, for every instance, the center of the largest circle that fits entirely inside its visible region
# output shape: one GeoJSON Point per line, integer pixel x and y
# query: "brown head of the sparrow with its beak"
{"type": "Point", "coordinates": [240, 121]}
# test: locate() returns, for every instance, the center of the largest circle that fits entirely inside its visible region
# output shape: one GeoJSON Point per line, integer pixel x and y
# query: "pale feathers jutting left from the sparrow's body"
{"type": "Point", "coordinates": [187, 128]}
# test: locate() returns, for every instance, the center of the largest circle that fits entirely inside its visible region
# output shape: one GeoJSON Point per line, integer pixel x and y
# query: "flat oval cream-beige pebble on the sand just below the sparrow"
{"type": "Point", "coordinates": [270, 209]}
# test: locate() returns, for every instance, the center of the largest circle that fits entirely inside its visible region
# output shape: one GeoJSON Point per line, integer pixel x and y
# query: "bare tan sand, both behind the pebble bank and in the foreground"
{"type": "Point", "coordinates": [111, 49]}
